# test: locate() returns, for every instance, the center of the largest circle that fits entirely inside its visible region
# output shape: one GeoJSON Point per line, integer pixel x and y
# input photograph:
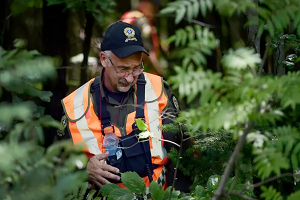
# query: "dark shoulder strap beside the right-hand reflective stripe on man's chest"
{"type": "Point", "coordinates": [141, 82]}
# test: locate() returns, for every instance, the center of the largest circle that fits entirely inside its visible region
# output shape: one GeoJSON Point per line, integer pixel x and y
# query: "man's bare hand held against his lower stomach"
{"type": "Point", "coordinates": [99, 171]}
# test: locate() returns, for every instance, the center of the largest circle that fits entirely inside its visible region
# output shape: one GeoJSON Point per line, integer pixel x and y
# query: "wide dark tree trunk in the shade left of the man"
{"type": "Point", "coordinates": [55, 44]}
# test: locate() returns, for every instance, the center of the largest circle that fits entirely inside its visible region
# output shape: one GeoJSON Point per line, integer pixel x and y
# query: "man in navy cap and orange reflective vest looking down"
{"type": "Point", "coordinates": [112, 102]}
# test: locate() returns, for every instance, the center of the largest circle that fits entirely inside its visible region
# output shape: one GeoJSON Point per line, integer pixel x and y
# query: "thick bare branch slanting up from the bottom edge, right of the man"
{"type": "Point", "coordinates": [220, 191]}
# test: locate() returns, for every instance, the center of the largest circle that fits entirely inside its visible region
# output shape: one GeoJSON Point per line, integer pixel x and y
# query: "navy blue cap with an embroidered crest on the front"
{"type": "Point", "coordinates": [123, 40]}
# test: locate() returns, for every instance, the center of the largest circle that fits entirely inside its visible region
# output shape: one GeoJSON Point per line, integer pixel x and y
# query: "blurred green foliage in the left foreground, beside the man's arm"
{"type": "Point", "coordinates": [27, 169]}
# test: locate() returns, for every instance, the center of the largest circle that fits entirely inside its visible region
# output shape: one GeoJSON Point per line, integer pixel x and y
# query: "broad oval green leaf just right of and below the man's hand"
{"type": "Point", "coordinates": [133, 182]}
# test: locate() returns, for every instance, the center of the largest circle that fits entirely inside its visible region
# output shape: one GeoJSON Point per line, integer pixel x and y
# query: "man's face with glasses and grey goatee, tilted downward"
{"type": "Point", "coordinates": [116, 68]}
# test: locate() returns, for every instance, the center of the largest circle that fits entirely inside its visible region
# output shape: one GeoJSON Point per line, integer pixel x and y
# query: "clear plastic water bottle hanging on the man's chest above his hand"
{"type": "Point", "coordinates": [111, 142]}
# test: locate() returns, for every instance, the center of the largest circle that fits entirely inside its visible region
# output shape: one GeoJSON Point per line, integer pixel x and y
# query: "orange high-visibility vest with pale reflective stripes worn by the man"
{"type": "Point", "coordinates": [85, 127]}
